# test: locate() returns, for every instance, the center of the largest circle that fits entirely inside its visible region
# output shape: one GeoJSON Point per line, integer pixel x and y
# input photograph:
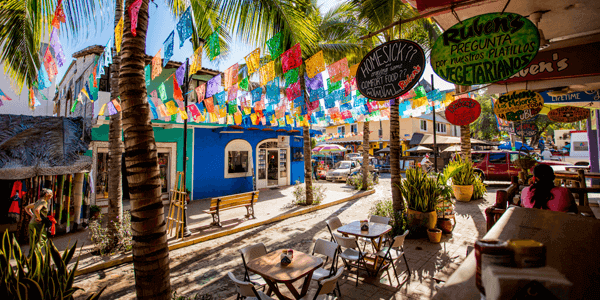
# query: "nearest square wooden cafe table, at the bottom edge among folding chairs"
{"type": "Point", "coordinates": [269, 267]}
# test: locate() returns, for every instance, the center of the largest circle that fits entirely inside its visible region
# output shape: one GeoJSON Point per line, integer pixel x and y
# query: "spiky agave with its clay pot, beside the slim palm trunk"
{"type": "Point", "coordinates": [421, 193]}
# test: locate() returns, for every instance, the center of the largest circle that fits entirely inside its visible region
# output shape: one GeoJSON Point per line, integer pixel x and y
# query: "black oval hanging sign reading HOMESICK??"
{"type": "Point", "coordinates": [390, 70]}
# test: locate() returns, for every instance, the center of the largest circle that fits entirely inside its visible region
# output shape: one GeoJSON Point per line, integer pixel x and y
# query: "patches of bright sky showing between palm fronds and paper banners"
{"type": "Point", "coordinates": [162, 22]}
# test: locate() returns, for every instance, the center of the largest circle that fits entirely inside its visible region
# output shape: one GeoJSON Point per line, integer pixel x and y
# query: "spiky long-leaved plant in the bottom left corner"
{"type": "Point", "coordinates": [42, 274]}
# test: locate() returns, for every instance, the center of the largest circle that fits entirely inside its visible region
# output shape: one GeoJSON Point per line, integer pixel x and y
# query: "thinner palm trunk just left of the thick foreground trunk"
{"type": "Point", "coordinates": [115, 147]}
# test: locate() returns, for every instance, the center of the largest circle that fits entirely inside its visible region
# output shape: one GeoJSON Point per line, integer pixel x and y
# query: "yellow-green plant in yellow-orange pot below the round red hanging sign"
{"type": "Point", "coordinates": [463, 178]}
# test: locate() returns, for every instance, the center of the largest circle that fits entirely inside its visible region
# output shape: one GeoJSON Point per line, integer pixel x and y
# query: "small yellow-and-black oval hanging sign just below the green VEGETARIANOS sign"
{"type": "Point", "coordinates": [518, 105]}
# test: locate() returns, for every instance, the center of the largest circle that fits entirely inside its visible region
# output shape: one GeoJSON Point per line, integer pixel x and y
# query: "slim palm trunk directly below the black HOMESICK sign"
{"type": "Point", "coordinates": [397, 201]}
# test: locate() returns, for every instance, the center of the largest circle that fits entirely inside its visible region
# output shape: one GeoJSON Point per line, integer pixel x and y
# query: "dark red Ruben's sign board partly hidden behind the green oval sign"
{"type": "Point", "coordinates": [567, 62]}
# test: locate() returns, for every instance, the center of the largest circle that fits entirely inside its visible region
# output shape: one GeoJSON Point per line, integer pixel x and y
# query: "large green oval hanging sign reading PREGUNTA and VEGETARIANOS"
{"type": "Point", "coordinates": [485, 49]}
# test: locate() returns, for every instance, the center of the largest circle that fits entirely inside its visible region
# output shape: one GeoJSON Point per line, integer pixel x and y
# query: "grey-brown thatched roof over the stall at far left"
{"type": "Point", "coordinates": [31, 146]}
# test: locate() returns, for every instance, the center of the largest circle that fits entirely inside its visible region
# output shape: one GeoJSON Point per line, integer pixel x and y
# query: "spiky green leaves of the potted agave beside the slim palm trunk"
{"type": "Point", "coordinates": [420, 191]}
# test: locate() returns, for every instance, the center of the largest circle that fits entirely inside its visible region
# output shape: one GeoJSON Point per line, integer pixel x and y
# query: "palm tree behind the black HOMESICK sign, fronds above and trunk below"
{"type": "Point", "coordinates": [376, 14]}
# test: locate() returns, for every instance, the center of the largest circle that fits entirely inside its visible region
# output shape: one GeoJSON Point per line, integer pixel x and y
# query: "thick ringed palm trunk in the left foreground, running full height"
{"type": "Point", "coordinates": [150, 248]}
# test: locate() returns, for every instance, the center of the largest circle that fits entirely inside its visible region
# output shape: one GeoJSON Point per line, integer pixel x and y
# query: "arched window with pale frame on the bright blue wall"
{"type": "Point", "coordinates": [238, 159]}
